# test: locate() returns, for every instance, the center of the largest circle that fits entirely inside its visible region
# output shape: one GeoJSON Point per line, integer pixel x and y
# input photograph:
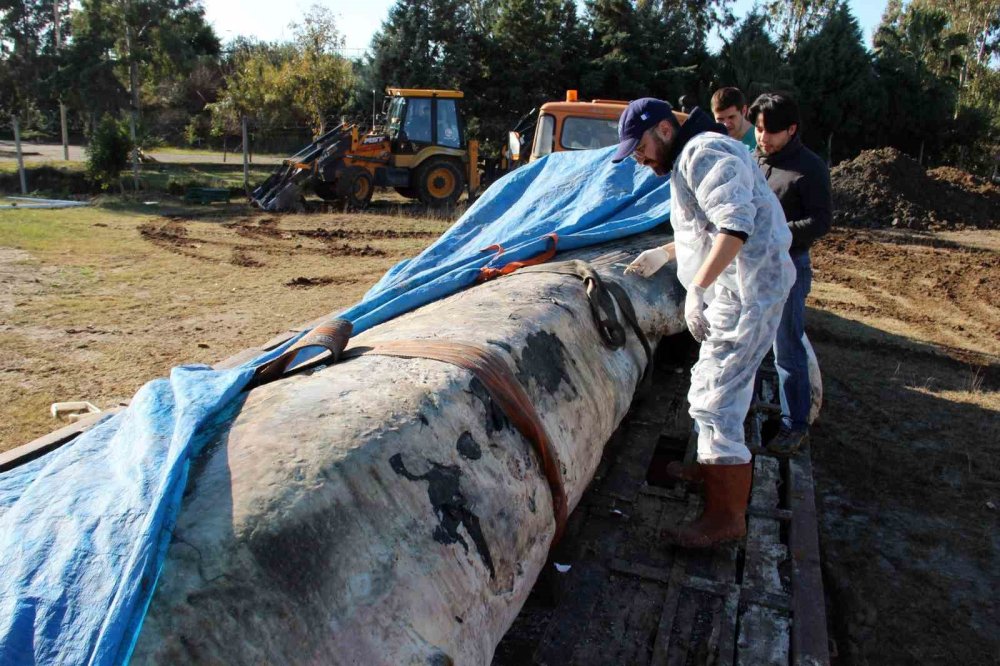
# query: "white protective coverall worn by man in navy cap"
{"type": "Point", "coordinates": [715, 184]}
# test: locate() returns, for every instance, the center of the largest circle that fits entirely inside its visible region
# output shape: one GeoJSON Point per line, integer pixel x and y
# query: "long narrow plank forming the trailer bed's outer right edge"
{"type": "Point", "coordinates": [810, 642]}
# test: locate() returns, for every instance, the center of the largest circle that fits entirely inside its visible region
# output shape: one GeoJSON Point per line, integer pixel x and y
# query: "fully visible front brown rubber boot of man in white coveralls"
{"type": "Point", "coordinates": [727, 490]}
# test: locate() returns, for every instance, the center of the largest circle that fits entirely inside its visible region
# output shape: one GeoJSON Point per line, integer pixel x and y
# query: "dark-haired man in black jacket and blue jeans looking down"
{"type": "Point", "coordinates": [801, 181]}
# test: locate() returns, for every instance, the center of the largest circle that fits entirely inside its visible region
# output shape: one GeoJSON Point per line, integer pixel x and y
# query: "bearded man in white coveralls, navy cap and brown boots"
{"type": "Point", "coordinates": [731, 245]}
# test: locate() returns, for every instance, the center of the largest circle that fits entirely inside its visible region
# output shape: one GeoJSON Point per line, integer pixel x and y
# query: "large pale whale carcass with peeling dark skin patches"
{"type": "Point", "coordinates": [383, 510]}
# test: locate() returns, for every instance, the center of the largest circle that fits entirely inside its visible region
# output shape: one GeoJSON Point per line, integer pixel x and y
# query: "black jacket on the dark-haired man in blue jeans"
{"type": "Point", "coordinates": [801, 181]}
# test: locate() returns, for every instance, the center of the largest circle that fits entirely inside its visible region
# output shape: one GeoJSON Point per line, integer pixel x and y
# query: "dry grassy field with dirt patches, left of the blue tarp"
{"type": "Point", "coordinates": [95, 301]}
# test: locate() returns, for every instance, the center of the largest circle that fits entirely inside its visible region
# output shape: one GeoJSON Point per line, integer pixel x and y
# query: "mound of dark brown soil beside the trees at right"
{"type": "Point", "coordinates": [884, 187]}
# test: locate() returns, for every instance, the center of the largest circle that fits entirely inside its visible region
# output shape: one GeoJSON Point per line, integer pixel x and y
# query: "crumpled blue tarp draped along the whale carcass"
{"type": "Point", "coordinates": [84, 529]}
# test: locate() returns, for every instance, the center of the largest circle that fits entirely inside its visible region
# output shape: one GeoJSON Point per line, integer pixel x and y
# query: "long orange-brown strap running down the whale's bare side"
{"type": "Point", "coordinates": [504, 388]}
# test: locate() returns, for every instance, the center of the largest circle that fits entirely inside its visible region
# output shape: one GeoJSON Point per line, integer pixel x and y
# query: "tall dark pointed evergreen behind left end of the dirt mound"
{"type": "Point", "coordinates": [838, 93]}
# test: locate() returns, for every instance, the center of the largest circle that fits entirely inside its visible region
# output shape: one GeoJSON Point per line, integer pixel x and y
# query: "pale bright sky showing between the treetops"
{"type": "Point", "coordinates": [359, 20]}
